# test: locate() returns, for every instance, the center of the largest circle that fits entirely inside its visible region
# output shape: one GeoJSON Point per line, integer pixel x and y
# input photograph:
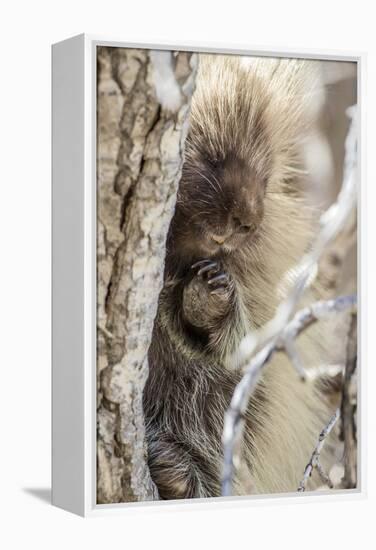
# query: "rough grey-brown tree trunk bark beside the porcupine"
{"type": "Point", "coordinates": [141, 134]}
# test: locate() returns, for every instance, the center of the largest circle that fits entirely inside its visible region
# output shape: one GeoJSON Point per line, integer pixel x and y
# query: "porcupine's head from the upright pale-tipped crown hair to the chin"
{"type": "Point", "coordinates": [228, 160]}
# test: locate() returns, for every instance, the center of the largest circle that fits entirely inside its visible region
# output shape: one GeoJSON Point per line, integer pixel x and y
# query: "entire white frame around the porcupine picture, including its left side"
{"type": "Point", "coordinates": [74, 278]}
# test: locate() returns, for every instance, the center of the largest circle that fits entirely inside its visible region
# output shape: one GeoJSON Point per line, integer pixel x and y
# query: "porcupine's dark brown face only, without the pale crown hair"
{"type": "Point", "coordinates": [219, 206]}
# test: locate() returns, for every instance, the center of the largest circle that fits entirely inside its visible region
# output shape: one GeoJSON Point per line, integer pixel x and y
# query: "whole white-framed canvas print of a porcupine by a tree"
{"type": "Point", "coordinates": [205, 245]}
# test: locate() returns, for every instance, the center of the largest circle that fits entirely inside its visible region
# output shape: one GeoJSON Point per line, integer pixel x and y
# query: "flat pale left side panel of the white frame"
{"type": "Point", "coordinates": [68, 141]}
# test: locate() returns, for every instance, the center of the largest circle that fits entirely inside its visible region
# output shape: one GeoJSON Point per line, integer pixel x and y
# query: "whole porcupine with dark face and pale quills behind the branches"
{"type": "Point", "coordinates": [240, 224]}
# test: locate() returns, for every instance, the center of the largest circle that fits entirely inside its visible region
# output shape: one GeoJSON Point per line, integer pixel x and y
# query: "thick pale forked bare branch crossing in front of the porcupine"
{"type": "Point", "coordinates": [257, 349]}
